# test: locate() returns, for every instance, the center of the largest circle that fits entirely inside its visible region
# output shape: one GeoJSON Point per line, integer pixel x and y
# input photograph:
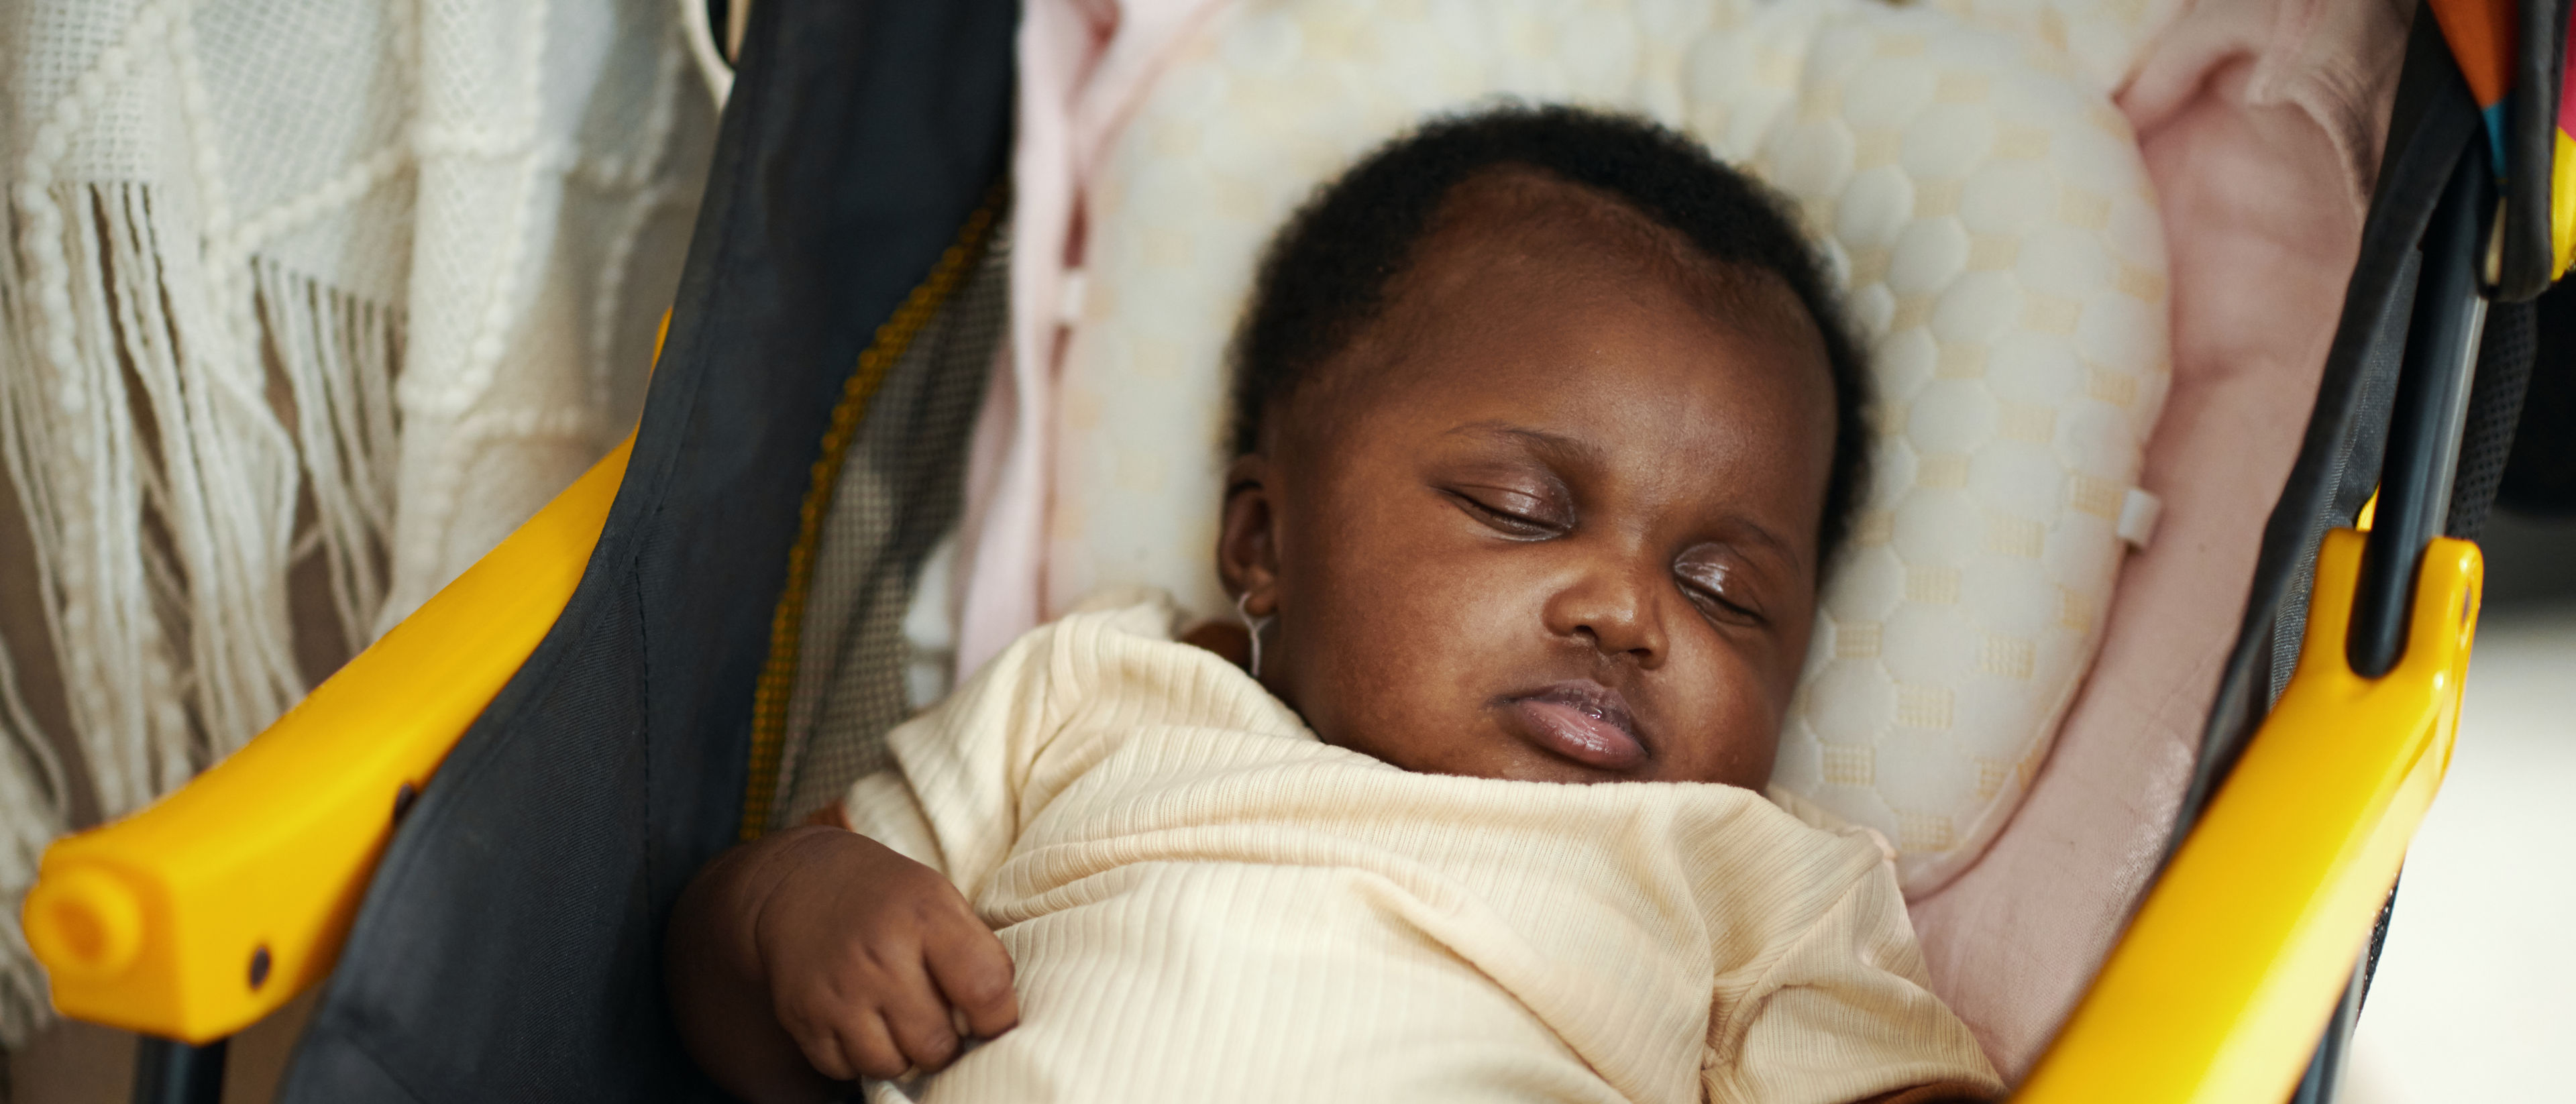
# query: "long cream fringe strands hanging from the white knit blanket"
{"type": "Point", "coordinates": [184, 428]}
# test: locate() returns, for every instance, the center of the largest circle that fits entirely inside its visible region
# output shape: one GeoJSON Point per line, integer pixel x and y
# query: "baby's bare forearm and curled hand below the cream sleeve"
{"type": "Point", "coordinates": [818, 956]}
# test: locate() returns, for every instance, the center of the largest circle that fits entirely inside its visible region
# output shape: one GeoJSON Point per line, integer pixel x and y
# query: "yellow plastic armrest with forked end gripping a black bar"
{"type": "Point", "coordinates": [2224, 982]}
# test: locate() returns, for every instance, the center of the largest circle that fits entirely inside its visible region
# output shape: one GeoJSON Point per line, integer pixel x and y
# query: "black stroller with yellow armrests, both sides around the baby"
{"type": "Point", "coordinates": [475, 833]}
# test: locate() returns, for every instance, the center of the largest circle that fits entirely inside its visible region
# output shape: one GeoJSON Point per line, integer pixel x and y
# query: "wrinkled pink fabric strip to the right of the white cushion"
{"type": "Point", "coordinates": [2260, 125]}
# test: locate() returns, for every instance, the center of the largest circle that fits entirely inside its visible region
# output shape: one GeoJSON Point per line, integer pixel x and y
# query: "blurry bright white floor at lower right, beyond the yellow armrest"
{"type": "Point", "coordinates": [2477, 989]}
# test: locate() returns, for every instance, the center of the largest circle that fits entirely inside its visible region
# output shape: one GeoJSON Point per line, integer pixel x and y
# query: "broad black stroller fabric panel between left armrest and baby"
{"type": "Point", "coordinates": [509, 946]}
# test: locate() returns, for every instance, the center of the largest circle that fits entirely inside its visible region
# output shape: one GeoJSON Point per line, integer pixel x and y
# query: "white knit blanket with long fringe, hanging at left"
{"type": "Point", "coordinates": [298, 290]}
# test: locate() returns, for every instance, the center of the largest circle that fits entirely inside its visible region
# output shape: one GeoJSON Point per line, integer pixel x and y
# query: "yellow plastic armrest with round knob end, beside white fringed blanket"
{"type": "Point", "coordinates": [231, 897]}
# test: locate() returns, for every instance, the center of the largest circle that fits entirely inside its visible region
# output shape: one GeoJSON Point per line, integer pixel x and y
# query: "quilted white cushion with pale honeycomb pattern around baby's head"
{"type": "Point", "coordinates": [1980, 199]}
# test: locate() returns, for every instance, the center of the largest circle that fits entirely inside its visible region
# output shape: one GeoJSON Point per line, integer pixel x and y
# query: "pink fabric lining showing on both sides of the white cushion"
{"type": "Point", "coordinates": [2260, 125]}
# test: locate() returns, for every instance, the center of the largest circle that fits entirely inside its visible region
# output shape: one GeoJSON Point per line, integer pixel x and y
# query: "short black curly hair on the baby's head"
{"type": "Point", "coordinates": [1325, 277]}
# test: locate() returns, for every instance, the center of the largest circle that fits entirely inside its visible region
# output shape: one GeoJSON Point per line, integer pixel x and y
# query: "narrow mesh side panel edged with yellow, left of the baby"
{"type": "Point", "coordinates": [898, 495]}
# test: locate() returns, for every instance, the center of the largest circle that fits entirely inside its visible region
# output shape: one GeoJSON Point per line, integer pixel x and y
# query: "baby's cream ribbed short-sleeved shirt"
{"type": "Point", "coordinates": [1204, 902]}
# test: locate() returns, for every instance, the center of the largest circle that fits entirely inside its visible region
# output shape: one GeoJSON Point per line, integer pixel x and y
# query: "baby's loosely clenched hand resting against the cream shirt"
{"type": "Point", "coordinates": [877, 964]}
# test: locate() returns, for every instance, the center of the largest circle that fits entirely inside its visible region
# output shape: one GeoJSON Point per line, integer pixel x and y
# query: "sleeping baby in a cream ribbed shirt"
{"type": "Point", "coordinates": [1547, 428]}
